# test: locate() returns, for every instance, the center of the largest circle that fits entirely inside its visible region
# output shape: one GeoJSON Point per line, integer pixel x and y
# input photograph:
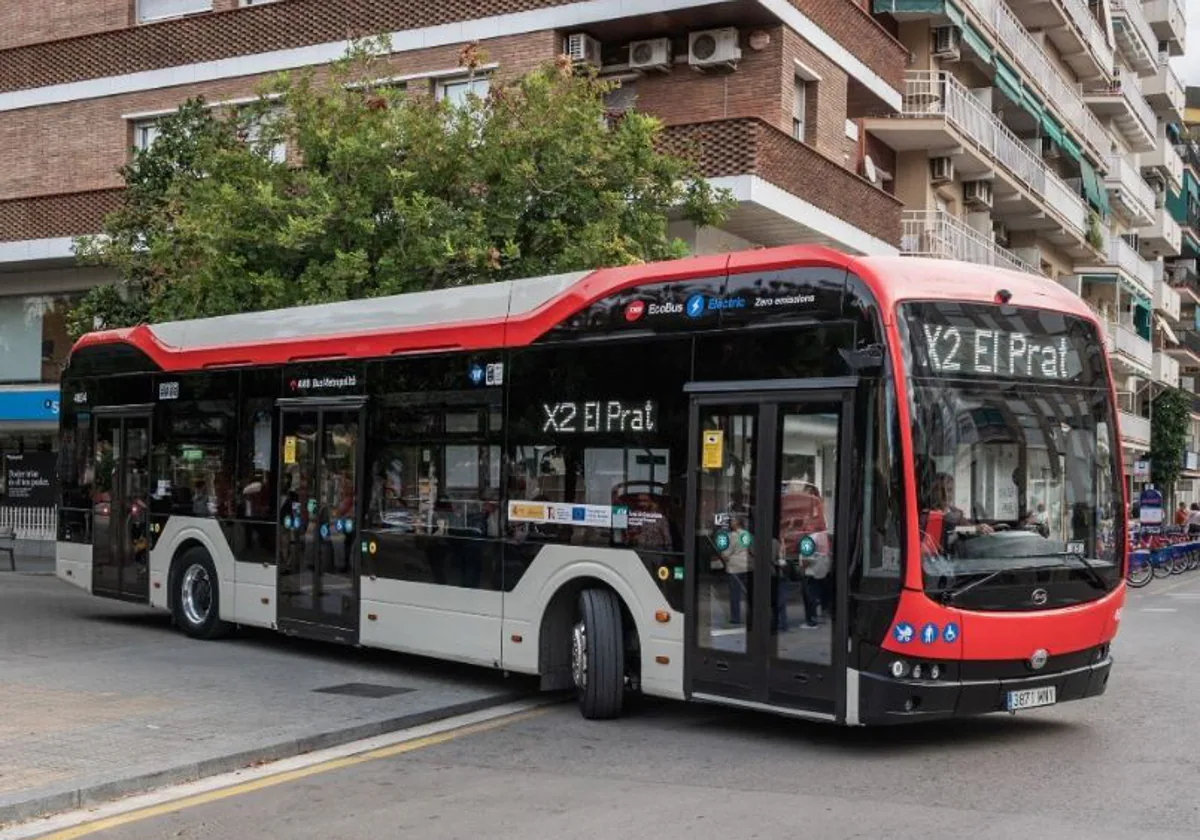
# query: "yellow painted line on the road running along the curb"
{"type": "Point", "coordinates": [284, 778]}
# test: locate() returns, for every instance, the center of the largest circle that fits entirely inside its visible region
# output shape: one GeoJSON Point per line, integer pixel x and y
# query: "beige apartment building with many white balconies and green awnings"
{"type": "Point", "coordinates": [1037, 135]}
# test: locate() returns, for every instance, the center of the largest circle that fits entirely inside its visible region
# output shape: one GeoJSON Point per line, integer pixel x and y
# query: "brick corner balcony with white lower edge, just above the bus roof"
{"type": "Point", "coordinates": [788, 193]}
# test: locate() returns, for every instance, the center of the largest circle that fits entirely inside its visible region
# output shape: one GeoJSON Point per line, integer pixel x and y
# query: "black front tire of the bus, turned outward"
{"type": "Point", "coordinates": [598, 656]}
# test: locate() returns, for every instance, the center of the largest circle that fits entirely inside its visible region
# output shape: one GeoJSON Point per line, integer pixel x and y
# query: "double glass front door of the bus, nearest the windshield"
{"type": "Point", "coordinates": [766, 602]}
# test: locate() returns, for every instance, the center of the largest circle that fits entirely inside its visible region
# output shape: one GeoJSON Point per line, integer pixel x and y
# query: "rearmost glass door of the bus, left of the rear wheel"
{"type": "Point", "coordinates": [121, 550]}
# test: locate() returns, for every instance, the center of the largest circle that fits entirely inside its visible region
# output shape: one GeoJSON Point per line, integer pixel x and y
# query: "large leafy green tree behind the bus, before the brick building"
{"type": "Point", "coordinates": [386, 193]}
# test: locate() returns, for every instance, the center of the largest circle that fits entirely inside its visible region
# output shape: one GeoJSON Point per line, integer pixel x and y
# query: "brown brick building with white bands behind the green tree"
{"type": "Point", "coordinates": [771, 93]}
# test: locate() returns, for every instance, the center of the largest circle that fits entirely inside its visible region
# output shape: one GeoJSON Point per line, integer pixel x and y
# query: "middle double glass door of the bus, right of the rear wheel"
{"type": "Point", "coordinates": [319, 523]}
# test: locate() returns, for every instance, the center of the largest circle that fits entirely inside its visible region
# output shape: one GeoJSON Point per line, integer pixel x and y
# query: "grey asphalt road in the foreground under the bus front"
{"type": "Point", "coordinates": [1125, 766]}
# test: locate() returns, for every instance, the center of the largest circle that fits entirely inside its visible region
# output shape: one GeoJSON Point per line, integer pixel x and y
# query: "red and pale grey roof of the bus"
{"type": "Point", "coordinates": [515, 314]}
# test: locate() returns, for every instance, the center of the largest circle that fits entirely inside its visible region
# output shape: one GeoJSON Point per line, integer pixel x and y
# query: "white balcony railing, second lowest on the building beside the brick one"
{"type": "Point", "coordinates": [939, 94]}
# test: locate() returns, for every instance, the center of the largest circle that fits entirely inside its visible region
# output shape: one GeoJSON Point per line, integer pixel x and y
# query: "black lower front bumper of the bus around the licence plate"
{"type": "Point", "coordinates": [886, 700]}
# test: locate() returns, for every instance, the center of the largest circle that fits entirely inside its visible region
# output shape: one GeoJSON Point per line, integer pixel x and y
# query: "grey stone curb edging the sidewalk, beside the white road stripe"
{"type": "Point", "coordinates": [109, 791]}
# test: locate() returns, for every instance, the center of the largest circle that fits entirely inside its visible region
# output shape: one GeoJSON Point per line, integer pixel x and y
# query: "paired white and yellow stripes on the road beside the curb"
{"type": "Point", "coordinates": [225, 787]}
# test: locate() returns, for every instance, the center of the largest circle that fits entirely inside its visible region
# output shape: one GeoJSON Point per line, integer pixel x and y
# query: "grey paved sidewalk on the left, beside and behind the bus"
{"type": "Point", "coordinates": [101, 699]}
